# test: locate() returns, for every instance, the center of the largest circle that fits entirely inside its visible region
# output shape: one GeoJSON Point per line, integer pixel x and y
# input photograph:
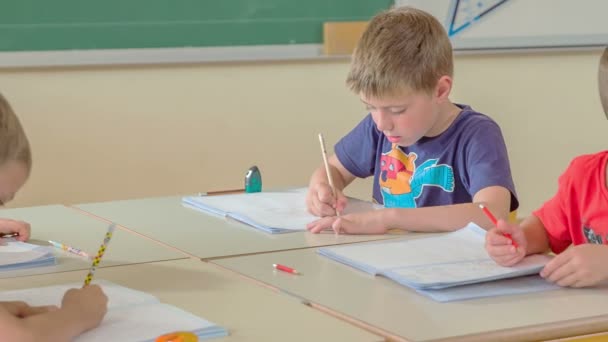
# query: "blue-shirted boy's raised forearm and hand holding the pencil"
{"type": "Point", "coordinates": [320, 199]}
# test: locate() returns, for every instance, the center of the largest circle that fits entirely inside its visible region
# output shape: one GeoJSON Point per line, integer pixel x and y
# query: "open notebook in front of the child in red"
{"type": "Point", "coordinates": [431, 264]}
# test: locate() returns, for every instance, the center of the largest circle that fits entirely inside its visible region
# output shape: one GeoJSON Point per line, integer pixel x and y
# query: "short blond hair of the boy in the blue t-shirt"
{"type": "Point", "coordinates": [402, 49]}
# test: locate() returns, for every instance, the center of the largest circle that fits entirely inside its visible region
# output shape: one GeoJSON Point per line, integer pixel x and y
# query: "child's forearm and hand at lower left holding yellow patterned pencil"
{"type": "Point", "coordinates": [81, 310]}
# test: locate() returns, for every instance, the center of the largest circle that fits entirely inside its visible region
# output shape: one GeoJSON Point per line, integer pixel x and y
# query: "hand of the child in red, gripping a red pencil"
{"type": "Point", "coordinates": [501, 248]}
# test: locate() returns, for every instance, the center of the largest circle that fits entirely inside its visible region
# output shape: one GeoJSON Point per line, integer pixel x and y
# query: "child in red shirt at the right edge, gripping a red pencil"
{"type": "Point", "coordinates": [573, 224]}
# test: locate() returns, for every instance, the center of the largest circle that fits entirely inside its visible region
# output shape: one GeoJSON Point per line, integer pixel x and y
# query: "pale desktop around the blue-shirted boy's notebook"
{"type": "Point", "coordinates": [203, 235]}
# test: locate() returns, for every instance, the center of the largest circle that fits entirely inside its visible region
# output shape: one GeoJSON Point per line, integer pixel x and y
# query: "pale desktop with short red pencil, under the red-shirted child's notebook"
{"type": "Point", "coordinates": [399, 312]}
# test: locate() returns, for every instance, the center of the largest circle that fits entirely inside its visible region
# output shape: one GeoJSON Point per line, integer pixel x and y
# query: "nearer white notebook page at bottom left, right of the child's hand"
{"type": "Point", "coordinates": [144, 323]}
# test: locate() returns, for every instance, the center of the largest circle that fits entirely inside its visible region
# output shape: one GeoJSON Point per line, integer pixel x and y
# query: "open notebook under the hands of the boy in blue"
{"type": "Point", "coordinates": [272, 212]}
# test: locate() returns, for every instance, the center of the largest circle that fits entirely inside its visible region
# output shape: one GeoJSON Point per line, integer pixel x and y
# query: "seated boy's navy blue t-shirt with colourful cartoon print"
{"type": "Point", "coordinates": [447, 169]}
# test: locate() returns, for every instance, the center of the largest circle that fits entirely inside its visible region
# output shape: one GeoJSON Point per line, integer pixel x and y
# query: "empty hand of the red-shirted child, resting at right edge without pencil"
{"type": "Point", "coordinates": [578, 266]}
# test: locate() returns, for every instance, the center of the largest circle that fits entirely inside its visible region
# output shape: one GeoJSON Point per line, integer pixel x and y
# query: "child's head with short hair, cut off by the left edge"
{"type": "Point", "coordinates": [15, 154]}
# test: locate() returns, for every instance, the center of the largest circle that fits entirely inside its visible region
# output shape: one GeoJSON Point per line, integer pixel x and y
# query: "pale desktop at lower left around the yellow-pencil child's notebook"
{"type": "Point", "coordinates": [250, 312]}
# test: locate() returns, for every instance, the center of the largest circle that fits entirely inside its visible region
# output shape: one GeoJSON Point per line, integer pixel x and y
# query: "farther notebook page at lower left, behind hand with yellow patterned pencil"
{"type": "Point", "coordinates": [118, 296]}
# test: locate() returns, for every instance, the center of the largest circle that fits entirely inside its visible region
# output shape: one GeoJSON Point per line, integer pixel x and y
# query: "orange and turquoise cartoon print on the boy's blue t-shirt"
{"type": "Point", "coordinates": [402, 181]}
